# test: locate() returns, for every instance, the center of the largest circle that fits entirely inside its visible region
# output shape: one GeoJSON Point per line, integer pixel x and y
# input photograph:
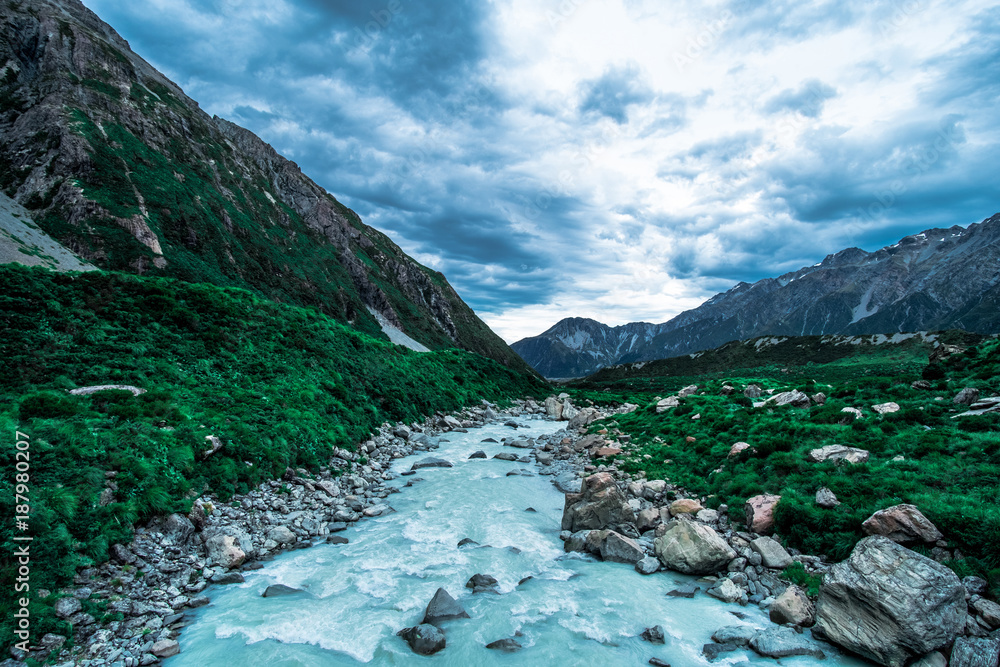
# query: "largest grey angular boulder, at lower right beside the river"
{"type": "Point", "coordinates": [889, 604]}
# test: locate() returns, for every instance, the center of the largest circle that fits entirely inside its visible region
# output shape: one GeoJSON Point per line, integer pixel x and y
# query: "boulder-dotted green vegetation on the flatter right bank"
{"type": "Point", "coordinates": [949, 468]}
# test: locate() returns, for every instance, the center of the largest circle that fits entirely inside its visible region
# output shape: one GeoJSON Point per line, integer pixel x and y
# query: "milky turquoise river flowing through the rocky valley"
{"type": "Point", "coordinates": [574, 610]}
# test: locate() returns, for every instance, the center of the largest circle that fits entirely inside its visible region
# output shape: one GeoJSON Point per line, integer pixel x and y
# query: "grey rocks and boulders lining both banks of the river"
{"type": "Point", "coordinates": [152, 584]}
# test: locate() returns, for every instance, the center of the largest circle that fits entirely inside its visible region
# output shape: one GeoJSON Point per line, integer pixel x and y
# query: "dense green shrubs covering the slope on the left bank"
{"type": "Point", "coordinates": [279, 385]}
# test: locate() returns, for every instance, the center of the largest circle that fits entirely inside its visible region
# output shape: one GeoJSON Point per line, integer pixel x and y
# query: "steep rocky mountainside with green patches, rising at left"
{"type": "Point", "coordinates": [118, 165]}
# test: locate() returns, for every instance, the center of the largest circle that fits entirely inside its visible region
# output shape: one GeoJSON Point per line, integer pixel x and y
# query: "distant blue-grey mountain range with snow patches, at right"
{"type": "Point", "coordinates": [938, 279]}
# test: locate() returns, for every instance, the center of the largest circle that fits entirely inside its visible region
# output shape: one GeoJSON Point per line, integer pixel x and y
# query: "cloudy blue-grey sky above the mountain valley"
{"type": "Point", "coordinates": [622, 160]}
